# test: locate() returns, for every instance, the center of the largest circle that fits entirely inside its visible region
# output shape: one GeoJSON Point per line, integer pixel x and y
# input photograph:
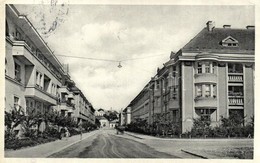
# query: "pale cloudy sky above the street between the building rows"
{"type": "Point", "coordinates": [142, 35]}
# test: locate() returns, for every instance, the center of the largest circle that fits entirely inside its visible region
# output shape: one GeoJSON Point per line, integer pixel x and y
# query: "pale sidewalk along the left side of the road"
{"type": "Point", "coordinates": [47, 149]}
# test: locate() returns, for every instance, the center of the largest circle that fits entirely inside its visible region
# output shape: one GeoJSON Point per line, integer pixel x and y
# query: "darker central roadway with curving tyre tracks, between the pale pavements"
{"type": "Point", "coordinates": [106, 144]}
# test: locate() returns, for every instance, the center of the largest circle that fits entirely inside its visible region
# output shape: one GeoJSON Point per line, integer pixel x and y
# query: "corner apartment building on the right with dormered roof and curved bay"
{"type": "Point", "coordinates": [212, 76]}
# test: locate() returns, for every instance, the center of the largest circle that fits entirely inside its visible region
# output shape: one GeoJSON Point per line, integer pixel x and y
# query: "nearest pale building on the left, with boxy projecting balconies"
{"type": "Point", "coordinates": [33, 74]}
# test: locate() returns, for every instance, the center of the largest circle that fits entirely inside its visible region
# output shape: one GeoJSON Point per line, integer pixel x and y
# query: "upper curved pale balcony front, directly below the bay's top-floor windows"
{"type": "Point", "coordinates": [206, 78]}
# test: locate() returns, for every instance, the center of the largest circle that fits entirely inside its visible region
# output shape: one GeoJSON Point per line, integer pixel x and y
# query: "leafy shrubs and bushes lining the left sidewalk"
{"type": "Point", "coordinates": [29, 129]}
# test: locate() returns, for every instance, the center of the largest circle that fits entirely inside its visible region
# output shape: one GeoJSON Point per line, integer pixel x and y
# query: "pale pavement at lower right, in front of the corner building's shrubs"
{"type": "Point", "coordinates": [200, 148]}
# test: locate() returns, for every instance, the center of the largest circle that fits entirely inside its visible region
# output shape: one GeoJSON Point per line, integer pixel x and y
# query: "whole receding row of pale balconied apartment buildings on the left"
{"type": "Point", "coordinates": [35, 80]}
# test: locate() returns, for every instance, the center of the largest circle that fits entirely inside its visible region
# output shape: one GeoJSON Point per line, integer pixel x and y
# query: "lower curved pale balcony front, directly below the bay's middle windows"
{"type": "Point", "coordinates": [206, 102]}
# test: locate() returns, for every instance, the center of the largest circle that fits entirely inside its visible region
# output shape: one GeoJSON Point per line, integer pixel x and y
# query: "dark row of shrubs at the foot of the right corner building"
{"type": "Point", "coordinates": [231, 127]}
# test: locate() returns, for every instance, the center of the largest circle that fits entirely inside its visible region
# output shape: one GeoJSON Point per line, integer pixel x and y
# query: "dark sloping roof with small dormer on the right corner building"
{"type": "Point", "coordinates": [211, 40]}
